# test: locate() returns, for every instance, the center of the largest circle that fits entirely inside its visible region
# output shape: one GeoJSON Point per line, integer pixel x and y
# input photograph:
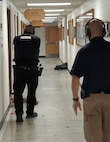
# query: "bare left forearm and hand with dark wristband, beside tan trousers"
{"type": "Point", "coordinates": [75, 88]}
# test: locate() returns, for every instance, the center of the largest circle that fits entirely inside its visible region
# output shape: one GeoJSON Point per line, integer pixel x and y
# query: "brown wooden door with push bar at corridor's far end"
{"type": "Point", "coordinates": [52, 40]}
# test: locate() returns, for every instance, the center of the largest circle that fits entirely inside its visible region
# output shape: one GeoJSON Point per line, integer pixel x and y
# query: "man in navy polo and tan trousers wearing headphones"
{"type": "Point", "coordinates": [92, 63]}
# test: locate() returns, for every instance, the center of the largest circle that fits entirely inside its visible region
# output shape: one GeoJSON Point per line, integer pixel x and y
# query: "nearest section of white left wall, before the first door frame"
{"type": "Point", "coordinates": [4, 78]}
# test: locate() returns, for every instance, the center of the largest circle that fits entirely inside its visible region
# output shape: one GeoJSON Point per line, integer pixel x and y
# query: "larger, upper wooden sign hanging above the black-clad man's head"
{"type": "Point", "coordinates": [34, 14]}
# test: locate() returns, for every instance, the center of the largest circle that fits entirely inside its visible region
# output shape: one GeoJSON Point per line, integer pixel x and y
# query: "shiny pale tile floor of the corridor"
{"type": "Point", "coordinates": [56, 121]}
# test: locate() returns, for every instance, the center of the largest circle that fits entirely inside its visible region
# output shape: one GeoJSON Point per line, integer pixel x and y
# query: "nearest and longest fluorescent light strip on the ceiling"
{"type": "Point", "coordinates": [48, 4]}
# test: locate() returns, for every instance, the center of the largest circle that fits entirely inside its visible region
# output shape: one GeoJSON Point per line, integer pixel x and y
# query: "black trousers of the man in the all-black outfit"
{"type": "Point", "coordinates": [23, 76]}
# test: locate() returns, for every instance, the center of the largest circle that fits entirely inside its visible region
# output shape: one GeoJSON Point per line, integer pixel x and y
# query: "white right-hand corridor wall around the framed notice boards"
{"type": "Point", "coordinates": [101, 11]}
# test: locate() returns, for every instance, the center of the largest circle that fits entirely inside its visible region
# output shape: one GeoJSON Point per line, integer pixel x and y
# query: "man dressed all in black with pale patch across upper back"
{"type": "Point", "coordinates": [26, 52]}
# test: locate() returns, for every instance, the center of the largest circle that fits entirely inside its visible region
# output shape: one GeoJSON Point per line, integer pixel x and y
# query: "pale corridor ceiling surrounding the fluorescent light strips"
{"type": "Point", "coordinates": [22, 6]}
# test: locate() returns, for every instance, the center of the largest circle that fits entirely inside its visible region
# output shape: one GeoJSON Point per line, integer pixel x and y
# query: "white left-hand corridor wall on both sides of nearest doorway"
{"type": "Point", "coordinates": [4, 67]}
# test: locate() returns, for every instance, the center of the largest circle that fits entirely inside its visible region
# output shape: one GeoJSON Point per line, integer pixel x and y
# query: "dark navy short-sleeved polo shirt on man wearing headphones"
{"type": "Point", "coordinates": [92, 62]}
